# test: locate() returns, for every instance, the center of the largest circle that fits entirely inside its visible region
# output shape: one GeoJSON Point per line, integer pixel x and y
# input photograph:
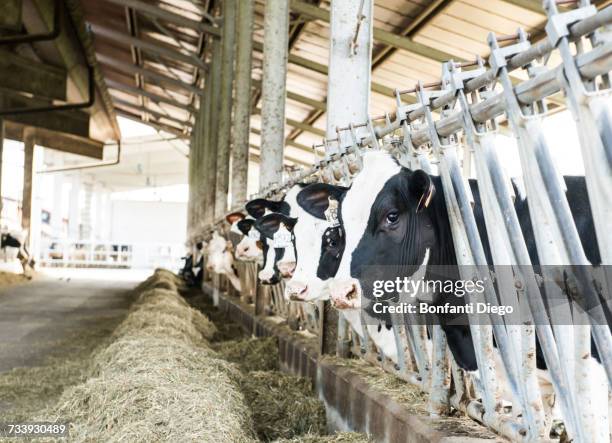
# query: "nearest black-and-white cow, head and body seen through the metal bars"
{"type": "Point", "coordinates": [397, 219]}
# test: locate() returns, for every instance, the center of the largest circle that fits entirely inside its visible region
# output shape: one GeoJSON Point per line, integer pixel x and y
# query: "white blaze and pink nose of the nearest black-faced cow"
{"type": "Point", "coordinates": [378, 168]}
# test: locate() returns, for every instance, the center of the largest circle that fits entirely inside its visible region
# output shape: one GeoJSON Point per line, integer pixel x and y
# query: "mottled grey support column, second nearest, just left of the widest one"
{"type": "Point", "coordinates": [276, 41]}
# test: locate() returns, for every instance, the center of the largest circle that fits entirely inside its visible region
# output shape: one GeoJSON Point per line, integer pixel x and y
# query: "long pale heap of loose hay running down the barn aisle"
{"type": "Point", "coordinates": [158, 380]}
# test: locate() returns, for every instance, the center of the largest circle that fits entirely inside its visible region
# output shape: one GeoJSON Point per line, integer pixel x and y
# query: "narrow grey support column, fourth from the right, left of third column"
{"type": "Point", "coordinates": [225, 108]}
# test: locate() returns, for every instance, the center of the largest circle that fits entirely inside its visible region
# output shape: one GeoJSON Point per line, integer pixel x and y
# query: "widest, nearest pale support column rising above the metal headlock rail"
{"type": "Point", "coordinates": [349, 73]}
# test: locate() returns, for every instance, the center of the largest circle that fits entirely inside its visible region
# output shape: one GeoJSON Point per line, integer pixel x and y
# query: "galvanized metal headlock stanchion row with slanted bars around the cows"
{"type": "Point", "coordinates": [450, 129]}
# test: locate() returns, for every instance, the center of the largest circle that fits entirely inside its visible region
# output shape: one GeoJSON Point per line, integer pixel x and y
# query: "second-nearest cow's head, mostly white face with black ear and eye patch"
{"type": "Point", "coordinates": [319, 241]}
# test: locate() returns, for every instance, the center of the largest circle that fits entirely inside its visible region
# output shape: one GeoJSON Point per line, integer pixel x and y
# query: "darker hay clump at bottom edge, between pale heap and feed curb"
{"type": "Point", "coordinates": [282, 405]}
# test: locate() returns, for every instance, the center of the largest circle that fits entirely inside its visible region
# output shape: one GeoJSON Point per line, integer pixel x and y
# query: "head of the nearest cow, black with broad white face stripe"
{"type": "Point", "coordinates": [389, 228]}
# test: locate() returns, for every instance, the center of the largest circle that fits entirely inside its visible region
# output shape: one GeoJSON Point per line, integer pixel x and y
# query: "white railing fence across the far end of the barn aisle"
{"type": "Point", "coordinates": [76, 253]}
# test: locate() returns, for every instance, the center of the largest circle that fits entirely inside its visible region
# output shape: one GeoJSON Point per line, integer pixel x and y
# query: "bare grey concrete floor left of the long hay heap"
{"type": "Point", "coordinates": [50, 309]}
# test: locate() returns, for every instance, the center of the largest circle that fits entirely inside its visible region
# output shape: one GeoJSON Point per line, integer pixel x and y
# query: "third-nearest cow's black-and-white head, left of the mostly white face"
{"type": "Point", "coordinates": [278, 231]}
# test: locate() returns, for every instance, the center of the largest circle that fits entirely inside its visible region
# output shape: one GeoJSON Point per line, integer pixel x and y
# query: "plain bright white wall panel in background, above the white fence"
{"type": "Point", "coordinates": [148, 222]}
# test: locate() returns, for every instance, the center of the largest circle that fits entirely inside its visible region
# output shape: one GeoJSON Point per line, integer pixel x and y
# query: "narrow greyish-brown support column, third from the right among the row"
{"type": "Point", "coordinates": [242, 109]}
